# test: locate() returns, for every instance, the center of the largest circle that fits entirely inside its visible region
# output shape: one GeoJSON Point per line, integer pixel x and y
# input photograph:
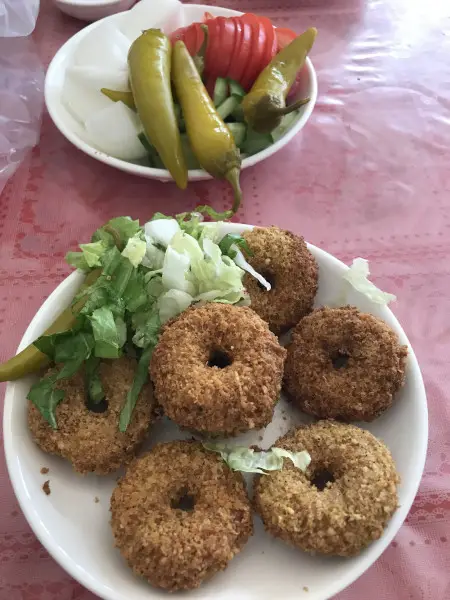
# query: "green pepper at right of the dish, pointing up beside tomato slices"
{"type": "Point", "coordinates": [265, 104]}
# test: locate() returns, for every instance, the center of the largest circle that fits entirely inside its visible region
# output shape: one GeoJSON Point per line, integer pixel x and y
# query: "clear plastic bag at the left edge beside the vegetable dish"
{"type": "Point", "coordinates": [21, 85]}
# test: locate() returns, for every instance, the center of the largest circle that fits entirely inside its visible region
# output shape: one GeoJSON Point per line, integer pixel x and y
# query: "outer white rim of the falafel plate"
{"type": "Point", "coordinates": [90, 582]}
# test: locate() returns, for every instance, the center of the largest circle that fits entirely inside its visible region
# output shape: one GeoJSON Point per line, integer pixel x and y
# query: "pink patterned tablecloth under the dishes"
{"type": "Point", "coordinates": [368, 177]}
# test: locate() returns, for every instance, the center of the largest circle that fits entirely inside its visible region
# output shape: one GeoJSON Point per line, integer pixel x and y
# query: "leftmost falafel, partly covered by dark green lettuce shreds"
{"type": "Point", "coordinates": [92, 441]}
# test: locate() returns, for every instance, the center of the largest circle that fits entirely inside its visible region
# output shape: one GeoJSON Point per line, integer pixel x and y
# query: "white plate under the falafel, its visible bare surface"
{"type": "Point", "coordinates": [75, 529]}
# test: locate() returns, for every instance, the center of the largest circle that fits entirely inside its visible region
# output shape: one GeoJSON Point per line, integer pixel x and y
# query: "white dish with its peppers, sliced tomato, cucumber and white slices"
{"type": "Point", "coordinates": [97, 59]}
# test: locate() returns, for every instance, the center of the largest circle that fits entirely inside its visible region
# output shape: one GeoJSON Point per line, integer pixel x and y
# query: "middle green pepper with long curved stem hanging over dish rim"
{"type": "Point", "coordinates": [211, 141]}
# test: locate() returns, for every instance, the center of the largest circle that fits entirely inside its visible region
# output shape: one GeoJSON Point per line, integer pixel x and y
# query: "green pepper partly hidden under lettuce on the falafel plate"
{"type": "Point", "coordinates": [31, 359]}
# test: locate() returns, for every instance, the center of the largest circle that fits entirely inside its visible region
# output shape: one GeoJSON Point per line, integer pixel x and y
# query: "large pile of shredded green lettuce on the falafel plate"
{"type": "Point", "coordinates": [148, 275]}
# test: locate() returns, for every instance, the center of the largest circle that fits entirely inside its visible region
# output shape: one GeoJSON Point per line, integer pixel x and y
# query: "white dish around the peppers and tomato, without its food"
{"type": "Point", "coordinates": [185, 15]}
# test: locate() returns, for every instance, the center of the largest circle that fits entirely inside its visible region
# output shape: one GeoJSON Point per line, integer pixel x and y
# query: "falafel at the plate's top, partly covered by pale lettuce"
{"type": "Point", "coordinates": [284, 260]}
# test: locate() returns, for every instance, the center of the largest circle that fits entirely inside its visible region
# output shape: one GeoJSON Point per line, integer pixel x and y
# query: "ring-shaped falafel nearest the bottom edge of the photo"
{"type": "Point", "coordinates": [179, 515]}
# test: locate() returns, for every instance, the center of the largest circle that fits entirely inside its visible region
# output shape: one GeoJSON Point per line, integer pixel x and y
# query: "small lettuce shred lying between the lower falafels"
{"type": "Point", "coordinates": [247, 460]}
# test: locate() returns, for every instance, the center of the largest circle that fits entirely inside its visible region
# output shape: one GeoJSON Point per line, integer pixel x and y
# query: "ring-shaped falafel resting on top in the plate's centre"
{"type": "Point", "coordinates": [217, 370]}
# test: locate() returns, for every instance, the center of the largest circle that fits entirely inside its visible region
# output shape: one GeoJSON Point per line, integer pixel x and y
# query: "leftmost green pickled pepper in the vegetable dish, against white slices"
{"type": "Point", "coordinates": [149, 61]}
